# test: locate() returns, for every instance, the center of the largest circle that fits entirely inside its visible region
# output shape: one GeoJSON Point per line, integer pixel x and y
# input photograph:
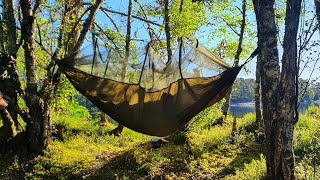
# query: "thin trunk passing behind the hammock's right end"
{"type": "Point", "coordinates": [226, 107]}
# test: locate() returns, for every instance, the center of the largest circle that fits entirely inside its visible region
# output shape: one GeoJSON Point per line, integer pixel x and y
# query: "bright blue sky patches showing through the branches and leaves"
{"type": "Point", "coordinates": [141, 33]}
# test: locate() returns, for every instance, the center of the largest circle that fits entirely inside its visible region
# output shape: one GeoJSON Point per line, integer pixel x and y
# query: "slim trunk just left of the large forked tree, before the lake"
{"type": "Point", "coordinates": [257, 97]}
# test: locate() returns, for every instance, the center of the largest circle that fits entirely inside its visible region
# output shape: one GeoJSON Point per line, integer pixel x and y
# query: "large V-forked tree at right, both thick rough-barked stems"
{"type": "Point", "coordinates": [278, 90]}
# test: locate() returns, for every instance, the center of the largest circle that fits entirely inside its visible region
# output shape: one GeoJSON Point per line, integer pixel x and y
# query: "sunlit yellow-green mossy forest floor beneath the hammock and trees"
{"type": "Point", "coordinates": [200, 154]}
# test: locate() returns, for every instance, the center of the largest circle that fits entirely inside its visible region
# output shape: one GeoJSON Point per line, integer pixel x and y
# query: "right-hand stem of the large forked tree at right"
{"type": "Point", "coordinates": [289, 113]}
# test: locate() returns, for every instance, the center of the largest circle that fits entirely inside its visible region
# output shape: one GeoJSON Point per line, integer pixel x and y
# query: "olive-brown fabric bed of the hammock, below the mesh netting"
{"type": "Point", "coordinates": [158, 113]}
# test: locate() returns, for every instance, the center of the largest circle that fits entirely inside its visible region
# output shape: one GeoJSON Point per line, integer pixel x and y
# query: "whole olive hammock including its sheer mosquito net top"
{"type": "Point", "coordinates": [147, 92]}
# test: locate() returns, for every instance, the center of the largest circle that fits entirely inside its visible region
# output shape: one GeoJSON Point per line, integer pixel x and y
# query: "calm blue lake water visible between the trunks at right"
{"type": "Point", "coordinates": [239, 111]}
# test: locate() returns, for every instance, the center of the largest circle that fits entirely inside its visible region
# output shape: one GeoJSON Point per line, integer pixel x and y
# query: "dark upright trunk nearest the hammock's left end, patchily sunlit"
{"type": "Point", "coordinates": [38, 127]}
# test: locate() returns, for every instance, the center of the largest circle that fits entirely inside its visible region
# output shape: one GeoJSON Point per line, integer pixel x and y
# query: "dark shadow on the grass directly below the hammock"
{"type": "Point", "coordinates": [127, 165]}
